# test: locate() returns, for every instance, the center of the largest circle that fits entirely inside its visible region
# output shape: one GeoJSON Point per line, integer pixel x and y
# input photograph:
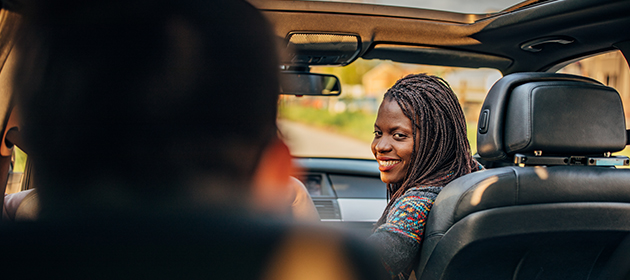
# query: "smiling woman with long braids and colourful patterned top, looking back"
{"type": "Point", "coordinates": [420, 144]}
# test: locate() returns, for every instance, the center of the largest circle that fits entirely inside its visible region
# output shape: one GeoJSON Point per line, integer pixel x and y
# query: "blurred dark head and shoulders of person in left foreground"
{"type": "Point", "coordinates": [139, 113]}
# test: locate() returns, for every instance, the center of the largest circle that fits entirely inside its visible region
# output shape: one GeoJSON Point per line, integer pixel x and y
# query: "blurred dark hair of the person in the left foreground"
{"type": "Point", "coordinates": [147, 97]}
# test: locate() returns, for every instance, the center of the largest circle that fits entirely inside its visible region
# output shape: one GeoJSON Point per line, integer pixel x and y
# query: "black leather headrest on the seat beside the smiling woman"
{"type": "Point", "coordinates": [556, 114]}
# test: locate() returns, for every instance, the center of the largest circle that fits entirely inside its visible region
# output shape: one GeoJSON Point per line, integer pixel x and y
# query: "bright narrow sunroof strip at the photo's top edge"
{"type": "Point", "coordinates": [459, 6]}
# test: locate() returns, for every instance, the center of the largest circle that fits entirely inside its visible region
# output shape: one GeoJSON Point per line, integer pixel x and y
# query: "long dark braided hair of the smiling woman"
{"type": "Point", "coordinates": [439, 133]}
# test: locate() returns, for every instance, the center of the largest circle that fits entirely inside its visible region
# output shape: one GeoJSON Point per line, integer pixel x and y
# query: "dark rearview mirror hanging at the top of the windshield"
{"type": "Point", "coordinates": [305, 83]}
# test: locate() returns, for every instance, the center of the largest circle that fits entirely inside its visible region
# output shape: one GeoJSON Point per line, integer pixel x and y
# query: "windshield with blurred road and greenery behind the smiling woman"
{"type": "Point", "coordinates": [343, 126]}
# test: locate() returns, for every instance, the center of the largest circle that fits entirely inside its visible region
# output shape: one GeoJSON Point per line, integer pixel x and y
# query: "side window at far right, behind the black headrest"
{"type": "Point", "coordinates": [610, 69]}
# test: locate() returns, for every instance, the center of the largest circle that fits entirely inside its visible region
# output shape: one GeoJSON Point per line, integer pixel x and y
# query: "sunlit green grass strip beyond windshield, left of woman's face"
{"type": "Point", "coordinates": [358, 125]}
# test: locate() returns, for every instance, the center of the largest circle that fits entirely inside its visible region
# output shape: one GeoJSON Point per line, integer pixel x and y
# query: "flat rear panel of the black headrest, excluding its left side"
{"type": "Point", "coordinates": [569, 117]}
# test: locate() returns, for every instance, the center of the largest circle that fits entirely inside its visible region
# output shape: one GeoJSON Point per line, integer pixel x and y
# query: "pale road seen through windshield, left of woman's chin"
{"type": "Point", "coordinates": [304, 140]}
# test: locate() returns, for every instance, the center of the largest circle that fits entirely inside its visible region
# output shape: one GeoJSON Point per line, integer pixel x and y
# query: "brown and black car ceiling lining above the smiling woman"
{"type": "Point", "coordinates": [468, 40]}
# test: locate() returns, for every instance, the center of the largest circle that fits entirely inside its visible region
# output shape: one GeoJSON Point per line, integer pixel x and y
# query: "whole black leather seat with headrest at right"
{"type": "Point", "coordinates": [563, 213]}
